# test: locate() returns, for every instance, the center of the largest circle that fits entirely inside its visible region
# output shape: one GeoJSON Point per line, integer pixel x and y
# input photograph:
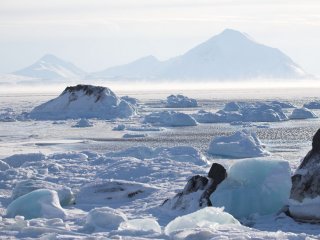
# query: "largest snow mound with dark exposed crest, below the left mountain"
{"type": "Point", "coordinates": [84, 101]}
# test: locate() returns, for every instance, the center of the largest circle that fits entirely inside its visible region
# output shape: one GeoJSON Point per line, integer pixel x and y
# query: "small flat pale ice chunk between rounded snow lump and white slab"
{"type": "Point", "coordinates": [141, 225]}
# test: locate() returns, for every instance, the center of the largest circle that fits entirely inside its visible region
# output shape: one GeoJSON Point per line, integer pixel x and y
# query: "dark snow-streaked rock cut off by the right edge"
{"type": "Point", "coordinates": [306, 180]}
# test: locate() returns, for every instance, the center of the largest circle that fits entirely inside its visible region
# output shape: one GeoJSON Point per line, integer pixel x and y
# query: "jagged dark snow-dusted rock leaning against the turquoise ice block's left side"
{"type": "Point", "coordinates": [197, 191]}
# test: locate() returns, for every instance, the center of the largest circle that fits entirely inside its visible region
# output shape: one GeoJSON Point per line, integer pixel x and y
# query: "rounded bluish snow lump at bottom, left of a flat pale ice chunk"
{"type": "Point", "coordinates": [103, 219]}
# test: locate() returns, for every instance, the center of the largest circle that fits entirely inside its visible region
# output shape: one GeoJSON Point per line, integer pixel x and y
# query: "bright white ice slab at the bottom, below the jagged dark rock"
{"type": "Point", "coordinates": [207, 217]}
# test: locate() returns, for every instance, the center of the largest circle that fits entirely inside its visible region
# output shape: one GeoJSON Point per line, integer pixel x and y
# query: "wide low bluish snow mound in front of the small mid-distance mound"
{"type": "Point", "coordinates": [170, 119]}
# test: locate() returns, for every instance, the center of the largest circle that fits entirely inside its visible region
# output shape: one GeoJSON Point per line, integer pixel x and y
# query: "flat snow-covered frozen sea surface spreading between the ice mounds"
{"type": "Point", "coordinates": [288, 140]}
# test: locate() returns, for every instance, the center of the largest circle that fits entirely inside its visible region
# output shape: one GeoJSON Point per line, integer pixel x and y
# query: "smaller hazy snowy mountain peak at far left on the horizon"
{"type": "Point", "coordinates": [49, 67]}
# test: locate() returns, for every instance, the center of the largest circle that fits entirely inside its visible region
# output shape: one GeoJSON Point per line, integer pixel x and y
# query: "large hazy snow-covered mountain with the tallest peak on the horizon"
{"type": "Point", "coordinates": [228, 55]}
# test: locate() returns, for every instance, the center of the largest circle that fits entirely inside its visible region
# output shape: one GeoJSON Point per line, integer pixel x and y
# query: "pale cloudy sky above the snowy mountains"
{"type": "Point", "coordinates": [97, 34]}
